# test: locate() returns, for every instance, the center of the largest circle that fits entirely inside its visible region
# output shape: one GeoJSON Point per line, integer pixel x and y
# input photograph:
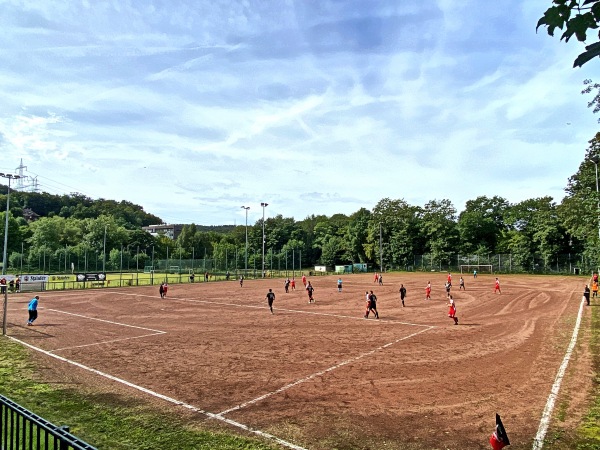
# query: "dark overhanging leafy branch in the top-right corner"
{"type": "Point", "coordinates": [576, 17]}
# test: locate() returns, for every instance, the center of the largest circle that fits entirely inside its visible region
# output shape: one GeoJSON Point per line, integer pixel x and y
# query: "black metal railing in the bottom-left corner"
{"type": "Point", "coordinates": [21, 429]}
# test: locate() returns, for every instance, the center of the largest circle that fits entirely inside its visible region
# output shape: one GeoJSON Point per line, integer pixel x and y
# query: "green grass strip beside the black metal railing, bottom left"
{"type": "Point", "coordinates": [102, 420]}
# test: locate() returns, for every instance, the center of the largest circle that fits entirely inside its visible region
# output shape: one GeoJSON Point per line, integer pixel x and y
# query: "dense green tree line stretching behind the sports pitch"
{"type": "Point", "coordinates": [74, 228]}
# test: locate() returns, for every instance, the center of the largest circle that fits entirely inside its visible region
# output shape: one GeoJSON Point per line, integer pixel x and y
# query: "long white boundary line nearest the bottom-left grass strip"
{"type": "Point", "coordinates": [163, 397]}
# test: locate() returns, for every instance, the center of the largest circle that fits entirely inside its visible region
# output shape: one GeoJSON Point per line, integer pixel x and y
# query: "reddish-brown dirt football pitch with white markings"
{"type": "Point", "coordinates": [319, 375]}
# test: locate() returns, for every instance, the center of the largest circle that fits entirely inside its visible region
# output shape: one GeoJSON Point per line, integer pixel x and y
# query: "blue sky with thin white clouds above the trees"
{"type": "Point", "coordinates": [193, 108]}
